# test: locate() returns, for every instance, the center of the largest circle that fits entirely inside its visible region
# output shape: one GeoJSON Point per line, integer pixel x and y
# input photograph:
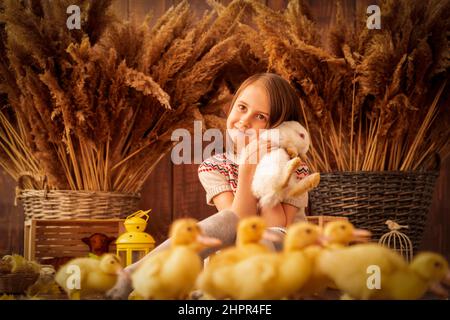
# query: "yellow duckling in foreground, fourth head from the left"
{"type": "Point", "coordinates": [275, 275]}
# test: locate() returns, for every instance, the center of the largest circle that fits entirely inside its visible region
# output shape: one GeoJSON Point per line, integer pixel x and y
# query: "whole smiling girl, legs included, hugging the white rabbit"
{"type": "Point", "coordinates": [263, 101]}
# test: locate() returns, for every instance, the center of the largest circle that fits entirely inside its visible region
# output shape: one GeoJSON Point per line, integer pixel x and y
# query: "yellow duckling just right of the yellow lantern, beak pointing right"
{"type": "Point", "coordinates": [171, 274]}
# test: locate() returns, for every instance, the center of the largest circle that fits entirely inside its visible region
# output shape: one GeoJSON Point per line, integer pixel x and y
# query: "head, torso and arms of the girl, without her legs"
{"type": "Point", "coordinates": [263, 101]}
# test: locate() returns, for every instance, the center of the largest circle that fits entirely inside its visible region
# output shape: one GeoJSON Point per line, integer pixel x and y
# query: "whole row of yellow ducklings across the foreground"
{"type": "Point", "coordinates": [312, 260]}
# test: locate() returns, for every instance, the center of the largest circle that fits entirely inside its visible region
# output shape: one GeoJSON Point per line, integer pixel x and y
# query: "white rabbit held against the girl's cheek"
{"type": "Point", "coordinates": [273, 180]}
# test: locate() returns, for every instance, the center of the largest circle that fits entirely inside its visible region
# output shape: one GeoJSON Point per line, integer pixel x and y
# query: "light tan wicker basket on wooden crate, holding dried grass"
{"type": "Point", "coordinates": [72, 204]}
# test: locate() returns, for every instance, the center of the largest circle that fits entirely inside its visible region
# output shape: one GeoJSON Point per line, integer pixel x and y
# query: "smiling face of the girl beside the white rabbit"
{"type": "Point", "coordinates": [250, 112]}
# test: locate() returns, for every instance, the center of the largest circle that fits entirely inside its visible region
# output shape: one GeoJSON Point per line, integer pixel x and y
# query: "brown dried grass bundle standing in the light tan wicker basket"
{"type": "Point", "coordinates": [101, 104]}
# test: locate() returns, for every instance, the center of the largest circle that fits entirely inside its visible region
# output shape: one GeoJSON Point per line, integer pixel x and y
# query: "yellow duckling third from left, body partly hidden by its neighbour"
{"type": "Point", "coordinates": [249, 234]}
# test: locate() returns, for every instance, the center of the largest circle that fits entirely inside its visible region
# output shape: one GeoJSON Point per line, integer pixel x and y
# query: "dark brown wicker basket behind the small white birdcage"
{"type": "Point", "coordinates": [368, 199]}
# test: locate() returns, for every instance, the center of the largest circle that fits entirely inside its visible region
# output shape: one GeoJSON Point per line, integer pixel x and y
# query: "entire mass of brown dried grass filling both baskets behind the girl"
{"type": "Point", "coordinates": [94, 109]}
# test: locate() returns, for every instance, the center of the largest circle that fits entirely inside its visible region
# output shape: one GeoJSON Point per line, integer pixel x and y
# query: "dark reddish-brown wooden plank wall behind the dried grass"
{"type": "Point", "coordinates": [174, 191]}
